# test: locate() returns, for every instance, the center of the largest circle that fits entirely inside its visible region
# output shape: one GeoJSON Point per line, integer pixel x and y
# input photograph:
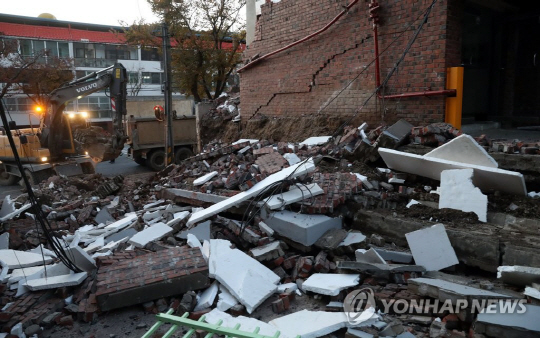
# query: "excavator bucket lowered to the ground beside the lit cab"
{"type": "Point", "coordinates": [97, 143]}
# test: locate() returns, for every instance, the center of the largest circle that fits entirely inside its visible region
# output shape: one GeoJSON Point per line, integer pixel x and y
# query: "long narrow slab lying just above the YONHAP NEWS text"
{"type": "Point", "coordinates": [441, 289]}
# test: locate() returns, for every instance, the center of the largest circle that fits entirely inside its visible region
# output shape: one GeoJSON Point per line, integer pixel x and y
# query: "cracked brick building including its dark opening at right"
{"type": "Point", "coordinates": [496, 43]}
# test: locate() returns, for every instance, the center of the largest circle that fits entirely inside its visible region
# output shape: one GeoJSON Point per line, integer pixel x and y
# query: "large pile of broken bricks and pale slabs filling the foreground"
{"type": "Point", "coordinates": [285, 236]}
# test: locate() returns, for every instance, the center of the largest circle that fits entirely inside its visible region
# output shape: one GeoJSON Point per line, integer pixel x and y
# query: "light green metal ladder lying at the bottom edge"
{"type": "Point", "coordinates": [201, 325]}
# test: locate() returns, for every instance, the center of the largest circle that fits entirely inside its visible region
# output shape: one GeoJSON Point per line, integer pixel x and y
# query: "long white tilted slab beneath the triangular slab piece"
{"type": "Point", "coordinates": [485, 178]}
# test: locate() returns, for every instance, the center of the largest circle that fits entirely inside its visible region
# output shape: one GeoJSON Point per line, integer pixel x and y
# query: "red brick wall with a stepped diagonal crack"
{"type": "Point", "coordinates": [304, 80]}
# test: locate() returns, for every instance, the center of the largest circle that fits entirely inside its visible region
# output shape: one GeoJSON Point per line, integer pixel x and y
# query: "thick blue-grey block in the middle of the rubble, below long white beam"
{"type": "Point", "coordinates": [301, 228]}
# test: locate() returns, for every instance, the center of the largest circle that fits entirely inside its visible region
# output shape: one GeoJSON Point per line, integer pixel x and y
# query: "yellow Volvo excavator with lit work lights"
{"type": "Point", "coordinates": [63, 144]}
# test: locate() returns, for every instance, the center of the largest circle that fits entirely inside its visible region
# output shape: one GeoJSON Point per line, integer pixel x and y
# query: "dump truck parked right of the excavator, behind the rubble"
{"type": "Point", "coordinates": [146, 140]}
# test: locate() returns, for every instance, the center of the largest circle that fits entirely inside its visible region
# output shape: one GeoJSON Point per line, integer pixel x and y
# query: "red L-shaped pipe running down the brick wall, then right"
{"type": "Point", "coordinates": [374, 16]}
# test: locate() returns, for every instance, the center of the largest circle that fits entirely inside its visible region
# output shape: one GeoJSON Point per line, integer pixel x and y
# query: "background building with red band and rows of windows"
{"type": "Point", "coordinates": [92, 47]}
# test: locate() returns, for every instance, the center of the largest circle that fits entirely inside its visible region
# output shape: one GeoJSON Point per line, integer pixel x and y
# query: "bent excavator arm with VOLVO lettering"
{"type": "Point", "coordinates": [53, 131]}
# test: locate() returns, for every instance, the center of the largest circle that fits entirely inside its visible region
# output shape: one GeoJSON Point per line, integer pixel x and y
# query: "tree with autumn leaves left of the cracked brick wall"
{"type": "Point", "coordinates": [206, 36]}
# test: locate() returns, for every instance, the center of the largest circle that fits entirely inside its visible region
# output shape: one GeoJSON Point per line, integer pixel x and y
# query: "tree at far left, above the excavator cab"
{"type": "Point", "coordinates": [36, 75]}
